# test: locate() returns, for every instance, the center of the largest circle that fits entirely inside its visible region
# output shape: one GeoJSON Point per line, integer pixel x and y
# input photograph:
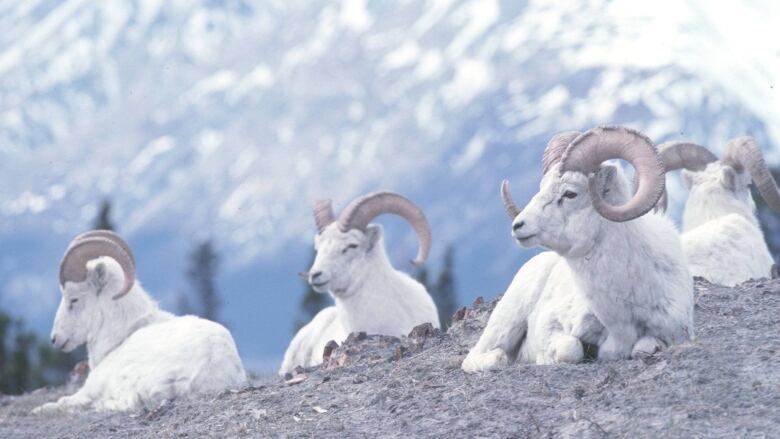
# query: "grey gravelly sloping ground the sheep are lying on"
{"type": "Point", "coordinates": [724, 384]}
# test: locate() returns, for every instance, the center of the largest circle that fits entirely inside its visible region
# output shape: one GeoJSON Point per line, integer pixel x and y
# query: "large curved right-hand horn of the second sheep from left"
{"type": "Point", "coordinates": [363, 210]}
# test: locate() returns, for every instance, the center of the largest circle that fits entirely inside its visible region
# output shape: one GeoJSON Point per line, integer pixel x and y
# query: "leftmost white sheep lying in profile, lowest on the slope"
{"type": "Point", "coordinates": [139, 355]}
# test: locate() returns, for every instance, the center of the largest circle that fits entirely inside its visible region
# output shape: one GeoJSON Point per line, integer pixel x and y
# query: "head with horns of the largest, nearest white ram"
{"type": "Point", "coordinates": [578, 192]}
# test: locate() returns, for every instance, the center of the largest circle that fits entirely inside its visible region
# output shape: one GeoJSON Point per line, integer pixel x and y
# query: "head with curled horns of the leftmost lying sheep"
{"type": "Point", "coordinates": [98, 266]}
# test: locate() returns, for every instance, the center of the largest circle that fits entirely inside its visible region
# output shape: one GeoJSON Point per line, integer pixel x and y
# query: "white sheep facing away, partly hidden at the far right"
{"type": "Point", "coordinates": [721, 235]}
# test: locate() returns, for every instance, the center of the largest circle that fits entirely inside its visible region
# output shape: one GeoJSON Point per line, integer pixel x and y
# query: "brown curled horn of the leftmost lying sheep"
{"type": "Point", "coordinates": [73, 267]}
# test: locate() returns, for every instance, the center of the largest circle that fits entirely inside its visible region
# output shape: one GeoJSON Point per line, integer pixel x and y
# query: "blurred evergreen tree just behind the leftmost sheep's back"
{"type": "Point", "coordinates": [201, 275]}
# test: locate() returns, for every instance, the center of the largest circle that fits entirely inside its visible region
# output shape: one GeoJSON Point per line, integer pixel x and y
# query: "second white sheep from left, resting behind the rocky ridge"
{"type": "Point", "coordinates": [352, 265]}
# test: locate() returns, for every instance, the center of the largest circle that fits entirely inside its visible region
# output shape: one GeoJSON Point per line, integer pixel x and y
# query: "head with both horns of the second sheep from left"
{"type": "Point", "coordinates": [345, 244]}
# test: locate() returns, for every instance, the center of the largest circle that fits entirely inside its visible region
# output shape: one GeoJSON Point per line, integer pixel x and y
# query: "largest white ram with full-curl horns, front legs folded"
{"type": "Point", "coordinates": [615, 278]}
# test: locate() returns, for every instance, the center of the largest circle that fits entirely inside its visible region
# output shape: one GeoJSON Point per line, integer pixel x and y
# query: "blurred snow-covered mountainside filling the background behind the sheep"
{"type": "Point", "coordinates": [228, 118]}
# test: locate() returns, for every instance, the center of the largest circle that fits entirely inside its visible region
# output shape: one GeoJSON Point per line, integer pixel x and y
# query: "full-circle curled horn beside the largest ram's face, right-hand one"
{"type": "Point", "coordinates": [586, 153]}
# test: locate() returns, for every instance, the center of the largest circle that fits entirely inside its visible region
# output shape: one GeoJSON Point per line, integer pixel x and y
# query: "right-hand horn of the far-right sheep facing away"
{"type": "Point", "coordinates": [743, 153]}
